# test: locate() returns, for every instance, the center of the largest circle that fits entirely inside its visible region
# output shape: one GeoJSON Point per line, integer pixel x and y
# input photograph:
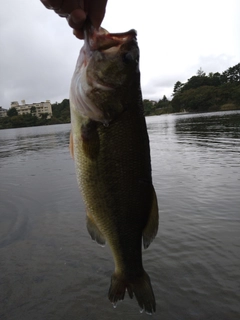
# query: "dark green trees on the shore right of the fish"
{"type": "Point", "coordinates": [201, 93]}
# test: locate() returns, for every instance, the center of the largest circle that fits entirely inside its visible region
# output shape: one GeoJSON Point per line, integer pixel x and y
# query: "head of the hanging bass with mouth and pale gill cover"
{"type": "Point", "coordinates": [106, 76]}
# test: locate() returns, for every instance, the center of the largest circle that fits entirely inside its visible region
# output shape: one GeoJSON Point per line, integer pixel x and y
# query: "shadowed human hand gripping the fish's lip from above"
{"type": "Point", "coordinates": [77, 11]}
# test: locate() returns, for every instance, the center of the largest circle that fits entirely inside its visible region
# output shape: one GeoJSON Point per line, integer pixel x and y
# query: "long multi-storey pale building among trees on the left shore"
{"type": "Point", "coordinates": [34, 108]}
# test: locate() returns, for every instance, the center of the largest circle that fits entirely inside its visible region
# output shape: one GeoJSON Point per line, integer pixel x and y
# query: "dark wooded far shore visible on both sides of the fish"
{"type": "Point", "coordinates": [201, 93]}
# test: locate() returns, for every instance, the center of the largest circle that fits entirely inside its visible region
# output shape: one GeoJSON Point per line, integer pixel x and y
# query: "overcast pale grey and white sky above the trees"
{"type": "Point", "coordinates": [176, 37]}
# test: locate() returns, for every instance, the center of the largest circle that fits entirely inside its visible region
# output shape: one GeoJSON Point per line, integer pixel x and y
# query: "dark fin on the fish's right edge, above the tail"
{"type": "Point", "coordinates": [151, 227]}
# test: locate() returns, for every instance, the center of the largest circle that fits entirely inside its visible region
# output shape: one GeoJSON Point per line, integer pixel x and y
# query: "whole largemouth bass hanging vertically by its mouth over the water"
{"type": "Point", "coordinates": [110, 145]}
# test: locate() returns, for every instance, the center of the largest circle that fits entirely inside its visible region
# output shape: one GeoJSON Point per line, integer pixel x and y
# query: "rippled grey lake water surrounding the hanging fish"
{"type": "Point", "coordinates": [51, 270]}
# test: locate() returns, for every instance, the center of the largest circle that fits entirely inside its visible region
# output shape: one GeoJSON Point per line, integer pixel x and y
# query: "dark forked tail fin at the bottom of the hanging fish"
{"type": "Point", "coordinates": [140, 287]}
